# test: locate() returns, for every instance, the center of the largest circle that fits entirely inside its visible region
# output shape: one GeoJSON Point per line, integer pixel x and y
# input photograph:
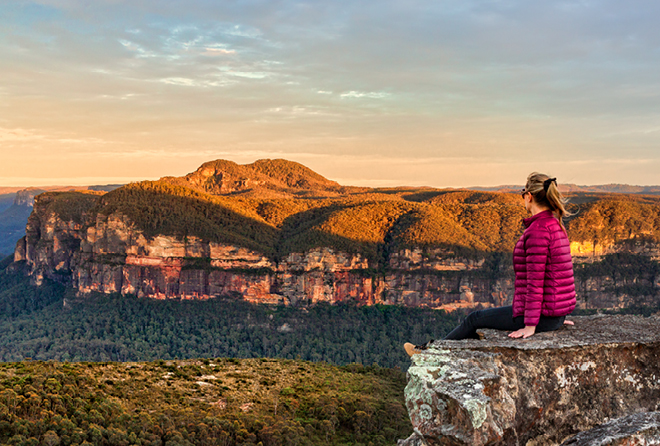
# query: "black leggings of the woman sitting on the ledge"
{"type": "Point", "coordinates": [500, 318]}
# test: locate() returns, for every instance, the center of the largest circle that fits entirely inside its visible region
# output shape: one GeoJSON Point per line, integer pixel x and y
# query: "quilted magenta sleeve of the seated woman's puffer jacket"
{"type": "Point", "coordinates": [537, 246]}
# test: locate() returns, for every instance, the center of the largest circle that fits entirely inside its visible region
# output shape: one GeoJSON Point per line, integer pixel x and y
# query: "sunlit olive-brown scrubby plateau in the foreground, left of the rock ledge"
{"type": "Point", "coordinates": [200, 402]}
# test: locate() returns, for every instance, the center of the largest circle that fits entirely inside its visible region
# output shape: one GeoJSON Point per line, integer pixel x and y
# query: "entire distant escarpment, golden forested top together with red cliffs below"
{"type": "Point", "coordinates": [276, 232]}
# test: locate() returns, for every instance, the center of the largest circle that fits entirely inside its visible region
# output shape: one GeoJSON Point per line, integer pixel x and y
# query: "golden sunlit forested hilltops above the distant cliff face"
{"type": "Point", "coordinates": [277, 207]}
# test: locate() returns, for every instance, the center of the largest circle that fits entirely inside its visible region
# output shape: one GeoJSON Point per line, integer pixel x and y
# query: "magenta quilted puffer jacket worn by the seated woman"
{"type": "Point", "coordinates": [544, 270]}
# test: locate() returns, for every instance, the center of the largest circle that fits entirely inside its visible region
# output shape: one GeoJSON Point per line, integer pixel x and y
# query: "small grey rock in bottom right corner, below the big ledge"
{"type": "Point", "coordinates": [639, 429]}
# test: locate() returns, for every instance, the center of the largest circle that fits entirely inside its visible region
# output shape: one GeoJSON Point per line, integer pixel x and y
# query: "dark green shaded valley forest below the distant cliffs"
{"type": "Point", "coordinates": [50, 323]}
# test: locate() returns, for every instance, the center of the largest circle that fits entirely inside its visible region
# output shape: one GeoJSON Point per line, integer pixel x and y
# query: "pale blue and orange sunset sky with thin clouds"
{"type": "Point", "coordinates": [441, 93]}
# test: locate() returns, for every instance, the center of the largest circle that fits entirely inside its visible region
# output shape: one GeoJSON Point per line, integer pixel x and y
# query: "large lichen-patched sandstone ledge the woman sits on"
{"type": "Point", "coordinates": [539, 391]}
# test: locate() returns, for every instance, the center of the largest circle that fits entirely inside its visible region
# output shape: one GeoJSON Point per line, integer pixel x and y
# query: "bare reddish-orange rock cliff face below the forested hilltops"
{"type": "Point", "coordinates": [108, 253]}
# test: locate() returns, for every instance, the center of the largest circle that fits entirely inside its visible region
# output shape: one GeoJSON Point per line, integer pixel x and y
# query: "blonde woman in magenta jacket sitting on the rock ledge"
{"type": "Point", "coordinates": [544, 287]}
